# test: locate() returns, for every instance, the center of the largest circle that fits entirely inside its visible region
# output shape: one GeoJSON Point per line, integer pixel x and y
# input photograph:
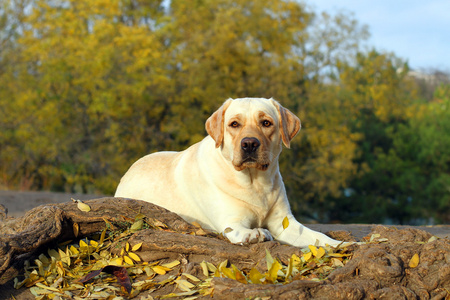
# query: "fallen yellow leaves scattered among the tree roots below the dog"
{"type": "Point", "coordinates": [89, 269]}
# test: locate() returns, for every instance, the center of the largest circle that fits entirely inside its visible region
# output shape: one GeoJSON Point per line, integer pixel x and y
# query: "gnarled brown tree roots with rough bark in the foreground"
{"type": "Point", "coordinates": [377, 271]}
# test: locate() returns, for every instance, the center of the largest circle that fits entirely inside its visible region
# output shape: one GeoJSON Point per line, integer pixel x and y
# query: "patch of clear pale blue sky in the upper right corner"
{"type": "Point", "coordinates": [417, 31]}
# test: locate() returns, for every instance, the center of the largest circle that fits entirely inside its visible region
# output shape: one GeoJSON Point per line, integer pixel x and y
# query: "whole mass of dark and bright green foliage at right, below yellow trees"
{"type": "Point", "coordinates": [408, 177]}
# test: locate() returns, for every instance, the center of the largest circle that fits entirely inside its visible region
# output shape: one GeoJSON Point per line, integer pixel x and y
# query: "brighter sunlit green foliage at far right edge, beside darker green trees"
{"type": "Point", "coordinates": [421, 147]}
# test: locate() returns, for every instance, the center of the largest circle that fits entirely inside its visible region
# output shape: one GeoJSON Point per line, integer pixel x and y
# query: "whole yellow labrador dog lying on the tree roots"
{"type": "Point", "coordinates": [230, 181]}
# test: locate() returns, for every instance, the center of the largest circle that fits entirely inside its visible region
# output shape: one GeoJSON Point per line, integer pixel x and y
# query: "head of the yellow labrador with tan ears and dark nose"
{"type": "Point", "coordinates": [250, 131]}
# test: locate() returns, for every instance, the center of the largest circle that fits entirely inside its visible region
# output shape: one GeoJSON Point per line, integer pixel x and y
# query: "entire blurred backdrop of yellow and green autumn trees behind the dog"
{"type": "Point", "coordinates": [89, 86]}
